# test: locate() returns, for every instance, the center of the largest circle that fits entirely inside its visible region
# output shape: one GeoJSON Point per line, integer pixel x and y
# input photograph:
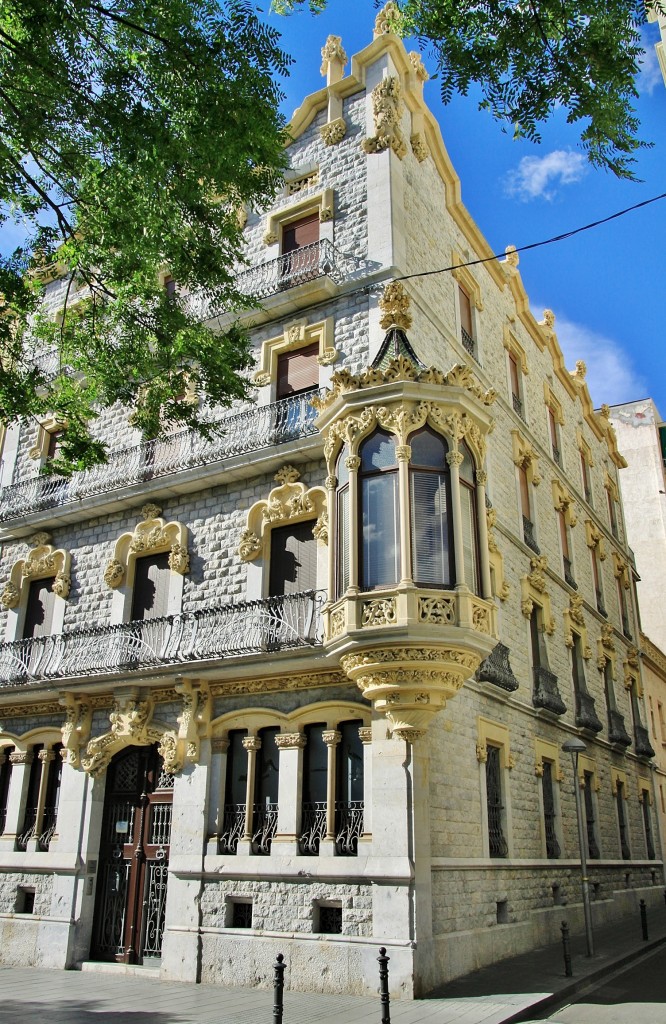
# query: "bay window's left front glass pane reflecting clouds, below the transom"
{"type": "Point", "coordinates": [380, 539]}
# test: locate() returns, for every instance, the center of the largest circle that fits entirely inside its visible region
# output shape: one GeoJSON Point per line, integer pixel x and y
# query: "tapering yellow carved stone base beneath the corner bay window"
{"type": "Point", "coordinates": [409, 686]}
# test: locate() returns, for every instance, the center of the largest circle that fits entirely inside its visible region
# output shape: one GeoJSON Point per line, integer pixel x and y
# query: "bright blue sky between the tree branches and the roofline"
{"type": "Point", "coordinates": [606, 286]}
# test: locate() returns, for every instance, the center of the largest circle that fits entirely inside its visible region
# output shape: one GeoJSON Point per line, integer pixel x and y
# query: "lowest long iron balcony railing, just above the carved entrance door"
{"type": "Point", "coordinates": [248, 628]}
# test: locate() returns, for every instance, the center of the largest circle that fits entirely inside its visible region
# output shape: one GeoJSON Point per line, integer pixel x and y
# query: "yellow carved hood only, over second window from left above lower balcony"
{"type": "Point", "coordinates": [152, 536]}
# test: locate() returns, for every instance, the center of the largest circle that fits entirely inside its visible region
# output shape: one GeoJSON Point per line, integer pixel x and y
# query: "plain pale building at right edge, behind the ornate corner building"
{"type": "Point", "coordinates": [642, 439]}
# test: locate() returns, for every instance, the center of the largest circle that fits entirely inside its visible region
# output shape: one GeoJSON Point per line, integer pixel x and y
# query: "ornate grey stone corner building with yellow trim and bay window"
{"type": "Point", "coordinates": [312, 698]}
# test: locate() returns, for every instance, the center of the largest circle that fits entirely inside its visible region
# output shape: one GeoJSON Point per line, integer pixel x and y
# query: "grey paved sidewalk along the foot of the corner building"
{"type": "Point", "coordinates": [520, 989]}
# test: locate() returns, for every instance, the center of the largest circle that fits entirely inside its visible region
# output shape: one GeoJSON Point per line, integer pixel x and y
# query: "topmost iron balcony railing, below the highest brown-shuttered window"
{"type": "Point", "coordinates": [320, 260]}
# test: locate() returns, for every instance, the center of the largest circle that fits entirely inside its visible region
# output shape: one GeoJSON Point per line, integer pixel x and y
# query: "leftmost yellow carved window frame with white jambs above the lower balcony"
{"type": "Point", "coordinates": [41, 563]}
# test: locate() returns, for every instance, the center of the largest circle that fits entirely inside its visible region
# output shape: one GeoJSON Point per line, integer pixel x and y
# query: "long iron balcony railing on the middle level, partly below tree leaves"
{"type": "Point", "coordinates": [252, 431]}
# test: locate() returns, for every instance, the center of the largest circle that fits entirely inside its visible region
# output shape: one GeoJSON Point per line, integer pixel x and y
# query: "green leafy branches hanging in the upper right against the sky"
{"type": "Point", "coordinates": [533, 57]}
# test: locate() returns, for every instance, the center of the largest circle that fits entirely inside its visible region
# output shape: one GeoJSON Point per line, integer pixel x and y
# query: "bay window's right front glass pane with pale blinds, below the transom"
{"type": "Point", "coordinates": [433, 551]}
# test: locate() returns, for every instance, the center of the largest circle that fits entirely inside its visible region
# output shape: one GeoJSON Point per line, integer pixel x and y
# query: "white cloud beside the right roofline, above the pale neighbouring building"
{"type": "Point", "coordinates": [611, 376]}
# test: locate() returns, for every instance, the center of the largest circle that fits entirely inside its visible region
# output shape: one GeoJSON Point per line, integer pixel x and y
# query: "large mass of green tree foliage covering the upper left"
{"type": "Point", "coordinates": [132, 134]}
